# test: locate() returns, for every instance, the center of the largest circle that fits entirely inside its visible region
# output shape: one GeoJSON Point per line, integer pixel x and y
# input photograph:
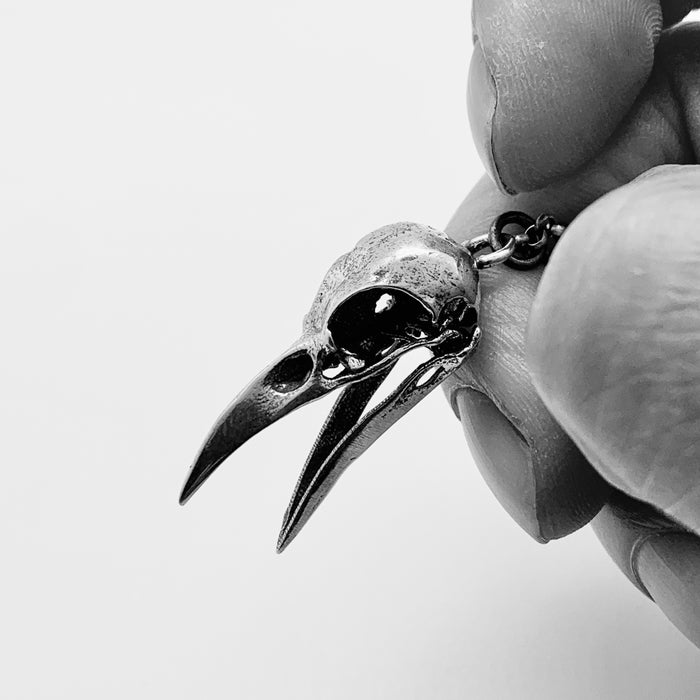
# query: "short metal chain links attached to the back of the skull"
{"type": "Point", "coordinates": [522, 251]}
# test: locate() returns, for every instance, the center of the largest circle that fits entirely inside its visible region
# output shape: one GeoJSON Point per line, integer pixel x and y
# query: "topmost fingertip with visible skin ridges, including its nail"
{"type": "Point", "coordinates": [550, 82]}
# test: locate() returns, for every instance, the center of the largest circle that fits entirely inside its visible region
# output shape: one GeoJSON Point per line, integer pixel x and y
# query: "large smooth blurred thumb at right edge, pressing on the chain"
{"type": "Point", "coordinates": [614, 339]}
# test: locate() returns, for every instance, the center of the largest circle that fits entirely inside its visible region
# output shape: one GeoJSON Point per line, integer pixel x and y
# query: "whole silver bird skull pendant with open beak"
{"type": "Point", "coordinates": [404, 286]}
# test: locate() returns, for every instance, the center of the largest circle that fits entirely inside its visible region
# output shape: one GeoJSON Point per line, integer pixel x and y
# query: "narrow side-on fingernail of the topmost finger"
{"type": "Point", "coordinates": [482, 98]}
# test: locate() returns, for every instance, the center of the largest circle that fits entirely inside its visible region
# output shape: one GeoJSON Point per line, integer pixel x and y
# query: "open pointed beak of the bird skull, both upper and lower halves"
{"type": "Point", "coordinates": [295, 380]}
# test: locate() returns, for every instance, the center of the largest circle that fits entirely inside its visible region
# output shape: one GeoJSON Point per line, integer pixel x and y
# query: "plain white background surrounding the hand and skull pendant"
{"type": "Point", "coordinates": [175, 179]}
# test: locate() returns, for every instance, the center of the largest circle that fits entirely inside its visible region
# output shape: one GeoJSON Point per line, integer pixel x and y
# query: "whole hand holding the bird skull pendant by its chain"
{"type": "Point", "coordinates": [583, 403]}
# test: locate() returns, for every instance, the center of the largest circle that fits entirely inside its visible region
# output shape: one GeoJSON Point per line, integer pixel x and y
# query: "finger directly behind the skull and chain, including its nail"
{"type": "Point", "coordinates": [536, 472]}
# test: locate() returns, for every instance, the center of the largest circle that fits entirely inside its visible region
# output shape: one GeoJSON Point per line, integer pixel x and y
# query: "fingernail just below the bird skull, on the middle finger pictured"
{"type": "Point", "coordinates": [502, 456]}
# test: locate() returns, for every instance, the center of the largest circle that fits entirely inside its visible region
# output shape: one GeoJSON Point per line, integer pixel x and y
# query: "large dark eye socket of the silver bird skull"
{"type": "Point", "coordinates": [373, 322]}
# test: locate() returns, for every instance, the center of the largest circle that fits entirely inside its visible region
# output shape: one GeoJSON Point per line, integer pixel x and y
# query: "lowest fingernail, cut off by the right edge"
{"type": "Point", "coordinates": [668, 564]}
